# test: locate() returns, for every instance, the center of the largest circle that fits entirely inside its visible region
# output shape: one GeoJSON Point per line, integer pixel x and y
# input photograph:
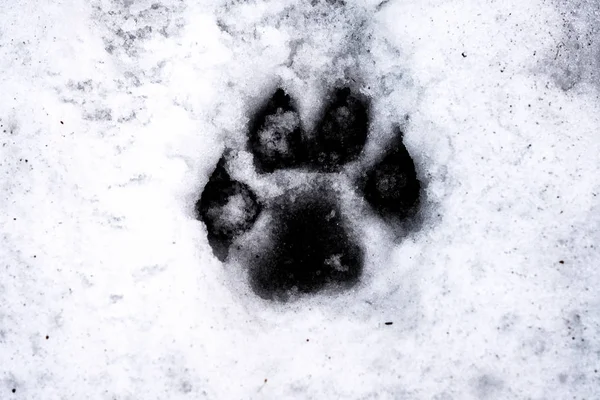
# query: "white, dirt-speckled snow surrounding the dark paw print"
{"type": "Point", "coordinates": [114, 113]}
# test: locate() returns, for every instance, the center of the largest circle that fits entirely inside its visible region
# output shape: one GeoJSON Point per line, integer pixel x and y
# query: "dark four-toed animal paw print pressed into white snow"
{"type": "Point", "coordinates": [302, 240]}
